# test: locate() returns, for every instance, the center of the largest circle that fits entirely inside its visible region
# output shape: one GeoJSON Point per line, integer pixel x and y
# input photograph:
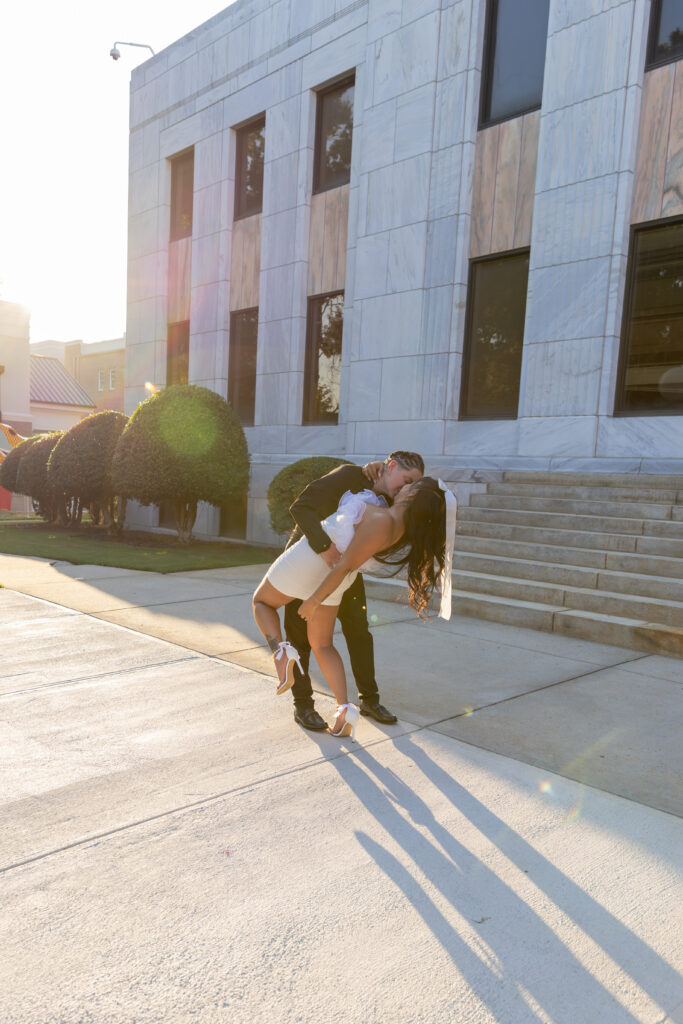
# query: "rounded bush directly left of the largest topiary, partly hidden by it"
{"type": "Point", "coordinates": [81, 465]}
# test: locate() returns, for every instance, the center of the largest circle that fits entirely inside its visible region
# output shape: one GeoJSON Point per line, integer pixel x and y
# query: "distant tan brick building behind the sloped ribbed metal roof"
{"type": "Point", "coordinates": [100, 368]}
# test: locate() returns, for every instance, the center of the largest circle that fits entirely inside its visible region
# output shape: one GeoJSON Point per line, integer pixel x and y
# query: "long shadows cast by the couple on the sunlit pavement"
{"type": "Point", "coordinates": [451, 869]}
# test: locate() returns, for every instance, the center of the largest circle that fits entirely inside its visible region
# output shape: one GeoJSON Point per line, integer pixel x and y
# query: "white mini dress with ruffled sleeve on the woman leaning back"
{"type": "Point", "coordinates": [300, 572]}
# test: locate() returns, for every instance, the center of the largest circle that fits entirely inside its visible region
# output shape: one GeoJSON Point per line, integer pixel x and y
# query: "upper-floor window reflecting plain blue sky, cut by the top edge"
{"type": "Point", "coordinates": [515, 59]}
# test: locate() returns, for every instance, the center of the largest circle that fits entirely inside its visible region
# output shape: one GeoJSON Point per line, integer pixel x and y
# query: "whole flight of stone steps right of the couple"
{"type": "Point", "coordinates": [596, 557]}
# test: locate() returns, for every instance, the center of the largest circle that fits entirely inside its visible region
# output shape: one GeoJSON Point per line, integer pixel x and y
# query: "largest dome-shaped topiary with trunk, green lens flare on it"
{"type": "Point", "coordinates": [185, 445]}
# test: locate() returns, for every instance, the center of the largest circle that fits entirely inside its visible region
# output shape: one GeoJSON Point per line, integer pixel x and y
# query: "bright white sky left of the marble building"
{"type": "Point", "coordinates": [64, 154]}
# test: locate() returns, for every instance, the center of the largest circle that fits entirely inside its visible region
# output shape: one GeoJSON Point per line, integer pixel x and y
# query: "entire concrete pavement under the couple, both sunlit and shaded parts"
{"type": "Point", "coordinates": [176, 849]}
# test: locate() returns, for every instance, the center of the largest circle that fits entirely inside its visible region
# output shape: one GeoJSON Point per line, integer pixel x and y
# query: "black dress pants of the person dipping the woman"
{"type": "Point", "coordinates": [354, 621]}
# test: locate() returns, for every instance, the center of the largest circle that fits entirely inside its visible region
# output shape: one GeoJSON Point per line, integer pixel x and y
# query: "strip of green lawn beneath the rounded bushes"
{"type": "Point", "coordinates": [151, 552]}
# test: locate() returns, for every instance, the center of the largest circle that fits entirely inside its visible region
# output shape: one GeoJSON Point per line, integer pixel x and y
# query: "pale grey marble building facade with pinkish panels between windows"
{"type": "Point", "coordinates": [430, 191]}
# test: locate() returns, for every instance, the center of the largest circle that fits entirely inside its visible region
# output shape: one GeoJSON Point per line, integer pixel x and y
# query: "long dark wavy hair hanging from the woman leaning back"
{"type": "Point", "coordinates": [422, 548]}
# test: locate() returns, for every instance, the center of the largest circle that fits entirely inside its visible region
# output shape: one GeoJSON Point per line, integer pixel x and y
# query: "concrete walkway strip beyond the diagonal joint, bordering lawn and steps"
{"type": "Point", "coordinates": [605, 716]}
